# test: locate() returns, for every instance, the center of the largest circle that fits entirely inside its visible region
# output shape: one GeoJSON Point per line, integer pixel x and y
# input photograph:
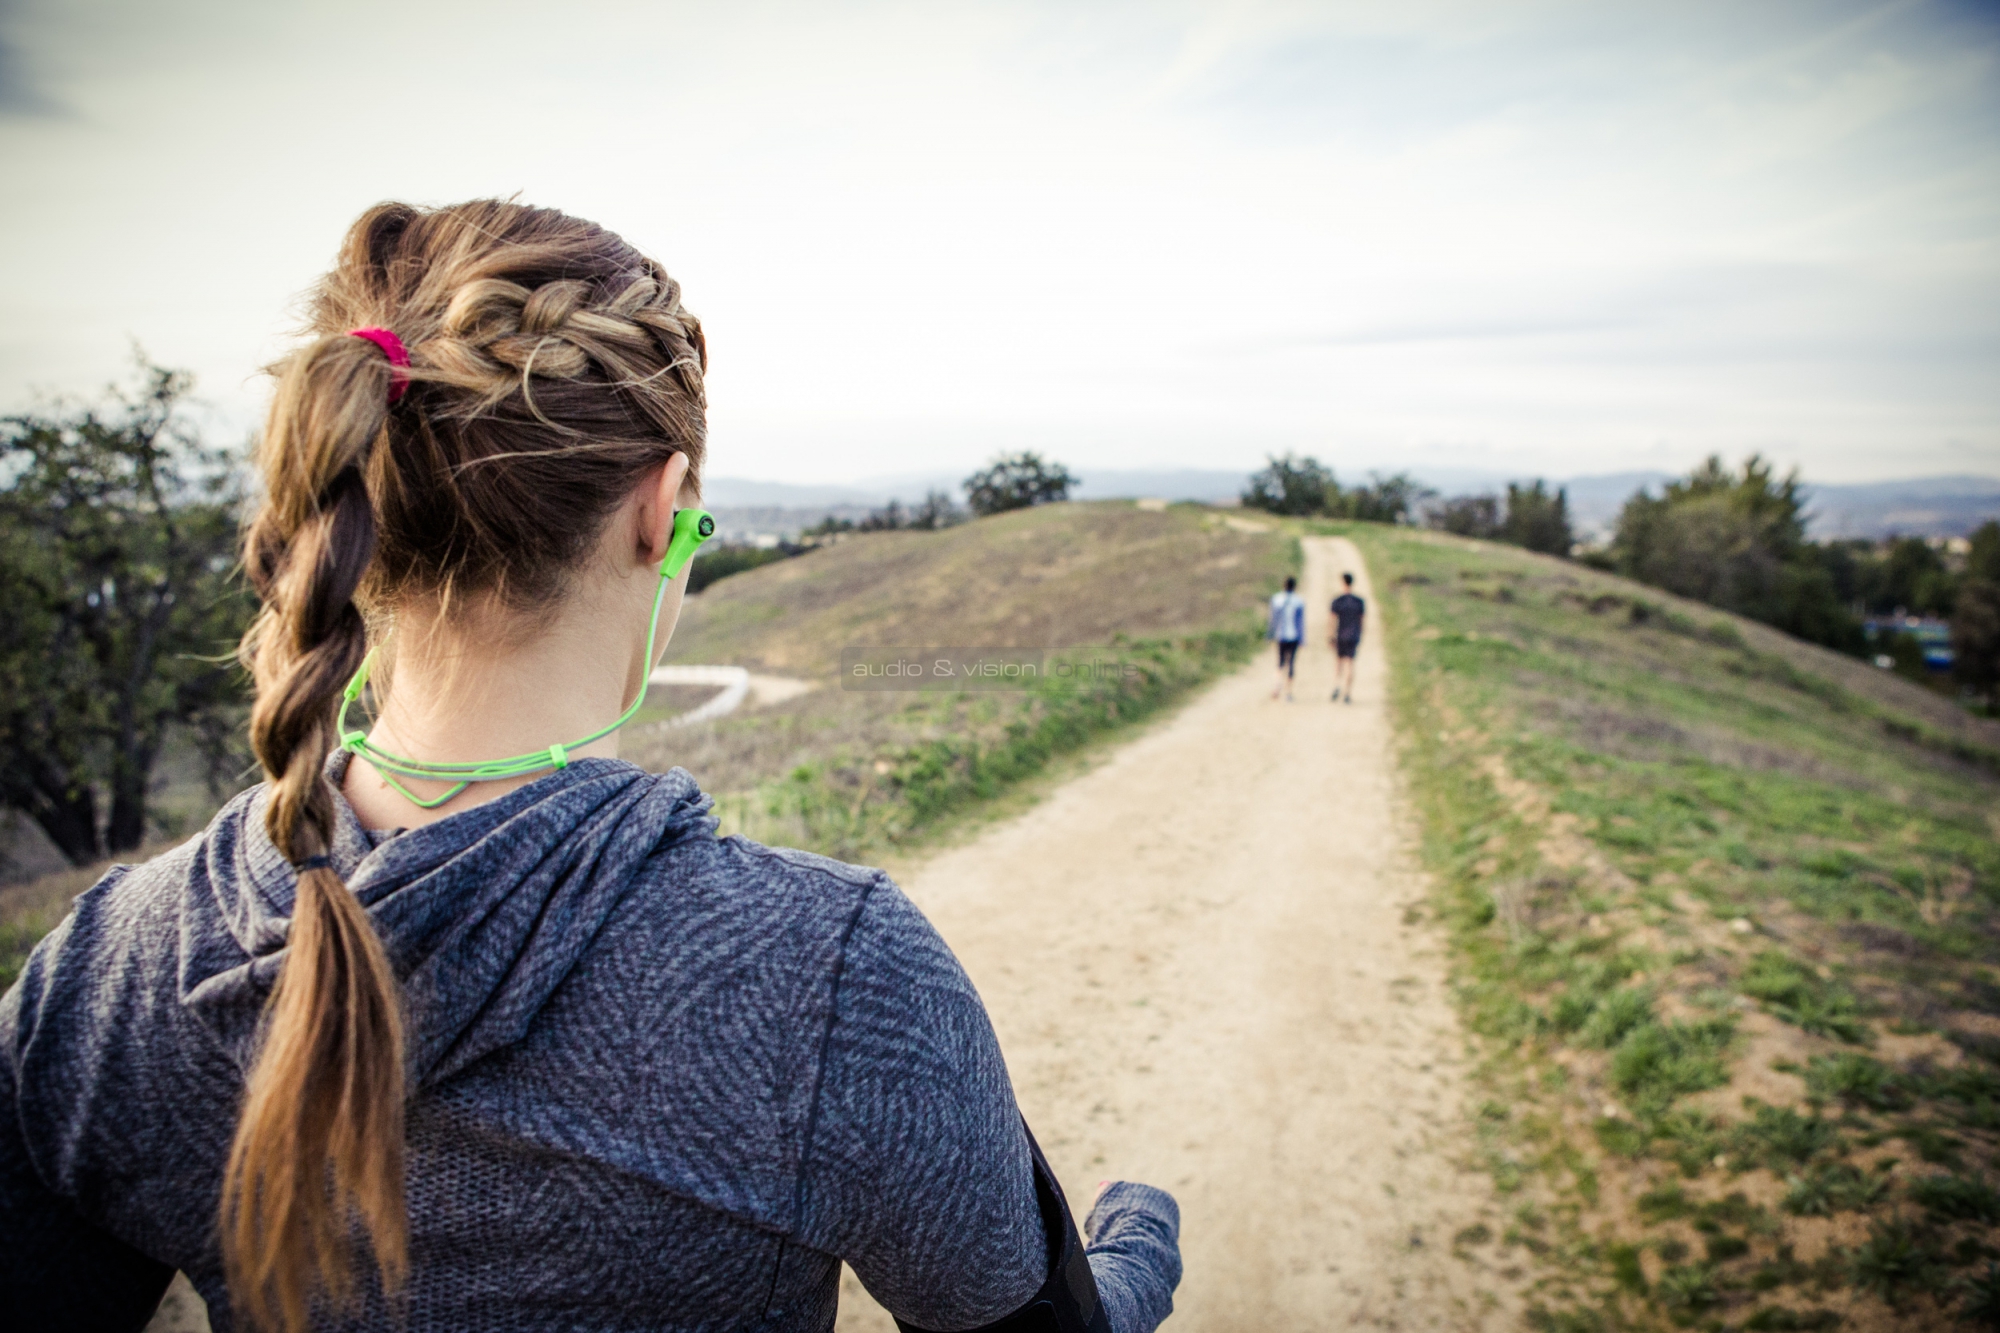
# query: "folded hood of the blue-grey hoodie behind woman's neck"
{"type": "Point", "coordinates": [483, 914]}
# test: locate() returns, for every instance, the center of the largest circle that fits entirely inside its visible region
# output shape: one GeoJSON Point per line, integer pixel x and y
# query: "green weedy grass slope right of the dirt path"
{"type": "Point", "coordinates": [1727, 914]}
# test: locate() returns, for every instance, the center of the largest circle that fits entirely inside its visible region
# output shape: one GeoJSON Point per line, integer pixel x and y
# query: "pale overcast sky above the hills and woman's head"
{"type": "Point", "coordinates": [1509, 235]}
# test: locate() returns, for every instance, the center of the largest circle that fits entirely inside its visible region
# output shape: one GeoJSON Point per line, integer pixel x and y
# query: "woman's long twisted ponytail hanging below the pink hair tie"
{"type": "Point", "coordinates": [319, 1144]}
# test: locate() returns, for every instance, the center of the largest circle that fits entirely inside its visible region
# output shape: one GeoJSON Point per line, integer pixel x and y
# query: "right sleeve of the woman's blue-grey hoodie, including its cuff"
{"type": "Point", "coordinates": [919, 1172]}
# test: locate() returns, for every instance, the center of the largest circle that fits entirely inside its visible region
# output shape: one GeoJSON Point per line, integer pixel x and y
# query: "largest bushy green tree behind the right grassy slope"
{"type": "Point", "coordinates": [1737, 541]}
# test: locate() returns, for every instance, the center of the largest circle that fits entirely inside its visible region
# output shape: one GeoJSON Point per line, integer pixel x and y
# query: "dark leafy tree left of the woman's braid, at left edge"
{"type": "Point", "coordinates": [117, 607]}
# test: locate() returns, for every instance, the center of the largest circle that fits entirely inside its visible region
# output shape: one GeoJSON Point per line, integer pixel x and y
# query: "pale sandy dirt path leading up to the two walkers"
{"type": "Point", "coordinates": [1201, 972]}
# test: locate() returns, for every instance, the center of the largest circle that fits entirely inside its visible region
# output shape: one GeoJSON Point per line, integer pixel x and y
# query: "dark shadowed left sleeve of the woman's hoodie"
{"type": "Point", "coordinates": [59, 1270]}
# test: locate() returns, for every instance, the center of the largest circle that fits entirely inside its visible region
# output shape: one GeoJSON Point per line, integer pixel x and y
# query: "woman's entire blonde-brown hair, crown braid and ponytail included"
{"type": "Point", "coordinates": [551, 367]}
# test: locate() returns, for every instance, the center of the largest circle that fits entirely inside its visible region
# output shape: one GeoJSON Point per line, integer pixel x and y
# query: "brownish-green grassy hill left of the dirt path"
{"type": "Point", "coordinates": [1179, 593]}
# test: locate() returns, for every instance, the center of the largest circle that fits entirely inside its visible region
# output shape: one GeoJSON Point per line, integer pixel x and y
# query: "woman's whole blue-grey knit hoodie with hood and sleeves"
{"type": "Point", "coordinates": [659, 1080]}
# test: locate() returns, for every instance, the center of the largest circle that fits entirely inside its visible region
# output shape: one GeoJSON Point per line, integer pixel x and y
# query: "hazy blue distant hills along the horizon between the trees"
{"type": "Point", "coordinates": [1913, 507]}
